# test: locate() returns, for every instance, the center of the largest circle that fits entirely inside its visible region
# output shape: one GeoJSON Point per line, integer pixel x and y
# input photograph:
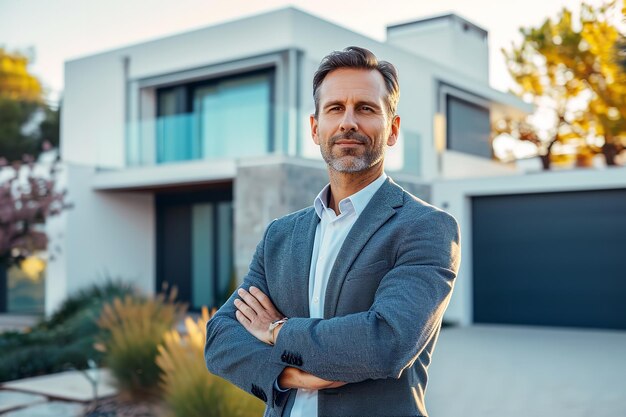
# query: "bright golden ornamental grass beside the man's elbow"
{"type": "Point", "coordinates": [189, 389]}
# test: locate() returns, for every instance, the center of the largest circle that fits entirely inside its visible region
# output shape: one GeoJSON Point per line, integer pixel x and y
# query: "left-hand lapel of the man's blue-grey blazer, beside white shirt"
{"type": "Point", "coordinates": [303, 239]}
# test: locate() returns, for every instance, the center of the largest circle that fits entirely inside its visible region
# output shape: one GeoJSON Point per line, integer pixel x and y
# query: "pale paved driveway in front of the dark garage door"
{"type": "Point", "coordinates": [516, 371]}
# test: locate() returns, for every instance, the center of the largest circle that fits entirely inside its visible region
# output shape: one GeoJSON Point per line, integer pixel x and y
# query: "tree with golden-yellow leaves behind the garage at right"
{"type": "Point", "coordinates": [569, 71]}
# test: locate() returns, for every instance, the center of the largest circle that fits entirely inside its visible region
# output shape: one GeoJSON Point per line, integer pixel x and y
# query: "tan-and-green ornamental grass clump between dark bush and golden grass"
{"type": "Point", "coordinates": [133, 329]}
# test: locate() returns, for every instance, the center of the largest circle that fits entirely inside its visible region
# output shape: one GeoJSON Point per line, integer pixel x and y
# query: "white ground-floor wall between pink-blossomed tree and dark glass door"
{"type": "Point", "coordinates": [105, 235]}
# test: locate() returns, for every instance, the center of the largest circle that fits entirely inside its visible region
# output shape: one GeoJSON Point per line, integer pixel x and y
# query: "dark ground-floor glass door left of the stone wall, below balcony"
{"type": "Point", "coordinates": [195, 246]}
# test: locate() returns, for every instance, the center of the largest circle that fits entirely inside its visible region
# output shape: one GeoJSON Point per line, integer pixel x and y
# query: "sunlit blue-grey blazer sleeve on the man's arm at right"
{"type": "Point", "coordinates": [406, 313]}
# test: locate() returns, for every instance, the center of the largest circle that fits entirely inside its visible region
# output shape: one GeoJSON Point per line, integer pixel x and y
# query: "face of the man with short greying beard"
{"type": "Point", "coordinates": [353, 127]}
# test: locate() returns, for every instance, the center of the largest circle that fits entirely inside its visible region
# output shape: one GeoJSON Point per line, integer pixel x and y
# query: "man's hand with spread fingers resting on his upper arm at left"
{"type": "Point", "coordinates": [255, 312]}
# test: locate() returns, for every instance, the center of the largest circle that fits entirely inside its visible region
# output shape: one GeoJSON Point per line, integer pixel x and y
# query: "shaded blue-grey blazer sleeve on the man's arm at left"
{"type": "Point", "coordinates": [234, 354]}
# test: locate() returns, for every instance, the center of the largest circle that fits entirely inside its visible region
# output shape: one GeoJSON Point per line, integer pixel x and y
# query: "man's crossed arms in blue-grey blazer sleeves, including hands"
{"type": "Point", "coordinates": [378, 343]}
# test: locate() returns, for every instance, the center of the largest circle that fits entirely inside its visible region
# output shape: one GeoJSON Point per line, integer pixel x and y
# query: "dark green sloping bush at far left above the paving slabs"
{"type": "Point", "coordinates": [64, 341]}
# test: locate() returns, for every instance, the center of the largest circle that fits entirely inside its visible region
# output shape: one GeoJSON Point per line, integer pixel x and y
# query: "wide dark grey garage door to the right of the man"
{"type": "Point", "coordinates": [556, 259]}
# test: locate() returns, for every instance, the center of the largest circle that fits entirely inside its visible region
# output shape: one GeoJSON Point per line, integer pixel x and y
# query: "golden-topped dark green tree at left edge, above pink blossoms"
{"type": "Point", "coordinates": [26, 121]}
